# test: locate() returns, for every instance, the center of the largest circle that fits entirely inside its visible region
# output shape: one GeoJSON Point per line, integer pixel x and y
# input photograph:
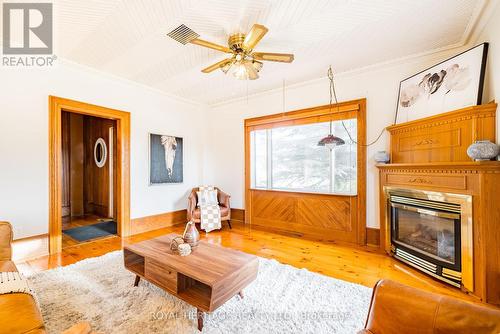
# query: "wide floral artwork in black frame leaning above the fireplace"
{"type": "Point", "coordinates": [452, 84]}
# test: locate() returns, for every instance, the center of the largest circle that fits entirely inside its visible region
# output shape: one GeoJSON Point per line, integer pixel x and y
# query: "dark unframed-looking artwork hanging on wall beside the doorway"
{"type": "Point", "coordinates": [166, 159]}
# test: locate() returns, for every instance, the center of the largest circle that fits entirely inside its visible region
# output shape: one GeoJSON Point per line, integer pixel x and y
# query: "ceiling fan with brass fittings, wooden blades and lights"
{"type": "Point", "coordinates": [243, 62]}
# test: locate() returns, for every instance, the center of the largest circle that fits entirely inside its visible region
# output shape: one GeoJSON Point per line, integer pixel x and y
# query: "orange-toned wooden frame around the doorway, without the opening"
{"type": "Point", "coordinates": [56, 106]}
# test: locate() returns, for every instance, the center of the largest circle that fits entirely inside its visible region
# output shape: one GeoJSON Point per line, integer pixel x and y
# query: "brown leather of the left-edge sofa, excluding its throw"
{"type": "Point", "coordinates": [19, 312]}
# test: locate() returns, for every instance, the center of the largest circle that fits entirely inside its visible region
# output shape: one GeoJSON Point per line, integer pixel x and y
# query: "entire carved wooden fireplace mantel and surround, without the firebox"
{"type": "Point", "coordinates": [445, 138]}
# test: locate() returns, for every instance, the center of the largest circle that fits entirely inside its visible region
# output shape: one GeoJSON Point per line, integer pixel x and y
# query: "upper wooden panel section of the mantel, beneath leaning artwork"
{"type": "Point", "coordinates": [444, 137]}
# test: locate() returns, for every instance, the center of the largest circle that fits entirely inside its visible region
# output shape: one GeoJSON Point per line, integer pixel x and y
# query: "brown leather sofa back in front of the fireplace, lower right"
{"type": "Point", "coordinates": [396, 308]}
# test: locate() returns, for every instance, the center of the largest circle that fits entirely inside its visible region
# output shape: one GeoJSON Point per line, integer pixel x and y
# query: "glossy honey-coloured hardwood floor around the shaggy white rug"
{"type": "Point", "coordinates": [362, 265]}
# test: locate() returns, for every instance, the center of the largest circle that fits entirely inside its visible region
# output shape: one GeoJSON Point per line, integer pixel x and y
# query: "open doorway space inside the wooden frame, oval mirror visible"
{"type": "Point", "coordinates": [88, 178]}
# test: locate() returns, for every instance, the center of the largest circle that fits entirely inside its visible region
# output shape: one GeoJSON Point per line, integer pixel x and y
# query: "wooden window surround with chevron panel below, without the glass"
{"type": "Point", "coordinates": [332, 217]}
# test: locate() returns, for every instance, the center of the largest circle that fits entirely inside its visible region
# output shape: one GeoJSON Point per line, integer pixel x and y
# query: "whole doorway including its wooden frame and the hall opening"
{"type": "Point", "coordinates": [89, 172]}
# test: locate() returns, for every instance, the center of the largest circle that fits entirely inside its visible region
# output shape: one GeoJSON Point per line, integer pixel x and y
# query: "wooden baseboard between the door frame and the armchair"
{"type": "Point", "coordinates": [156, 222]}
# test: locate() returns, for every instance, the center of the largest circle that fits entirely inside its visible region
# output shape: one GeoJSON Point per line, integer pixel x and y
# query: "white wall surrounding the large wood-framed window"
{"type": "Point", "coordinates": [224, 158]}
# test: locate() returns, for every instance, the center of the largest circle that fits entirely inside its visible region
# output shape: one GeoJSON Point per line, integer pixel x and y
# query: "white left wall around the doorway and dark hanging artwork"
{"type": "Point", "coordinates": [24, 140]}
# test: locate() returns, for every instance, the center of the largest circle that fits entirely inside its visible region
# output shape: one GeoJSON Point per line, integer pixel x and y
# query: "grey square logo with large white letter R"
{"type": "Point", "coordinates": [27, 29]}
